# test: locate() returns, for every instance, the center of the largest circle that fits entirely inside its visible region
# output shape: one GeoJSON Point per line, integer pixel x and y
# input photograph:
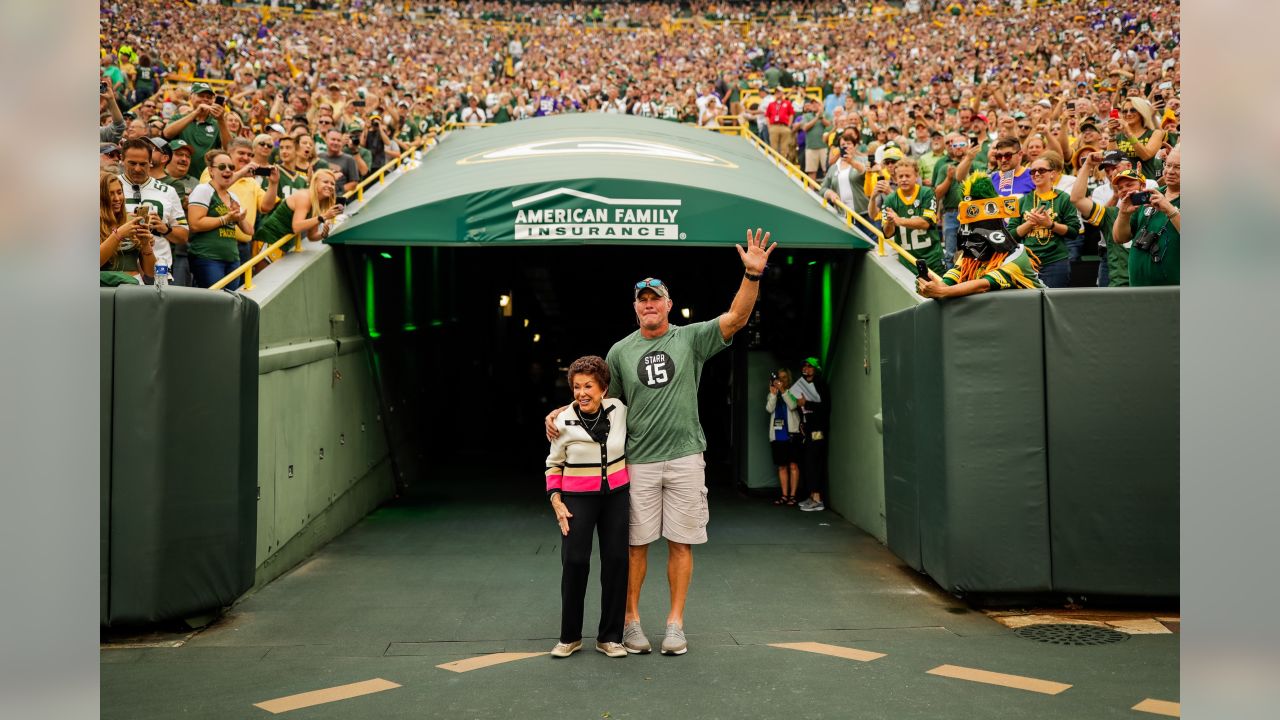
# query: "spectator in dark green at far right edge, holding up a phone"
{"type": "Point", "coordinates": [1153, 221]}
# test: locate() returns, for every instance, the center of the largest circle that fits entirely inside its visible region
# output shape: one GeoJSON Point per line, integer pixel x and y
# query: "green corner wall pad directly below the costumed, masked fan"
{"type": "Point", "coordinates": [982, 480]}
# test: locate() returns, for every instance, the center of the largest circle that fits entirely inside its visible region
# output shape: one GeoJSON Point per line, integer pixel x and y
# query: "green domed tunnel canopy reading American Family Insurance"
{"type": "Point", "coordinates": [593, 179]}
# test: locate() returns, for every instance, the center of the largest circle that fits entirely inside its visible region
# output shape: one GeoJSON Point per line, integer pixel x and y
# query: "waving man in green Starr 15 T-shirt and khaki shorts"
{"type": "Point", "coordinates": [656, 372]}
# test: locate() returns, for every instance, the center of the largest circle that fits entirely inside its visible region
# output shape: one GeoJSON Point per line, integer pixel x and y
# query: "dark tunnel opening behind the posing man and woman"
{"type": "Point", "coordinates": [472, 344]}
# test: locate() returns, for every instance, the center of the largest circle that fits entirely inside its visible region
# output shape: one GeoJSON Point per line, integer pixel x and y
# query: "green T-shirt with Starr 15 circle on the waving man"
{"type": "Point", "coordinates": [659, 381]}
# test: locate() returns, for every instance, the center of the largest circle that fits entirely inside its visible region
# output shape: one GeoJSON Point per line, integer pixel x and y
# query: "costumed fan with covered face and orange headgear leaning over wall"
{"type": "Point", "coordinates": [989, 258]}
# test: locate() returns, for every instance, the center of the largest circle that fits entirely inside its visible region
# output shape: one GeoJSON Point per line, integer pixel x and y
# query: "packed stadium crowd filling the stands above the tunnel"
{"type": "Point", "coordinates": [267, 97]}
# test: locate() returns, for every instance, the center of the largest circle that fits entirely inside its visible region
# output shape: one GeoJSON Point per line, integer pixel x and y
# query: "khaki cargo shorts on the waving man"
{"type": "Point", "coordinates": [670, 500]}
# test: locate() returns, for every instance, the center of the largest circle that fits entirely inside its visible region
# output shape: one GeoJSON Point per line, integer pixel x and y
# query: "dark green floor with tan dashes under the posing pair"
{"type": "Point", "coordinates": [438, 580]}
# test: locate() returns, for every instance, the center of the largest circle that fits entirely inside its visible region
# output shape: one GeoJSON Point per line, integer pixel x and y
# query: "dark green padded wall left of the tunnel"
{"type": "Point", "coordinates": [184, 453]}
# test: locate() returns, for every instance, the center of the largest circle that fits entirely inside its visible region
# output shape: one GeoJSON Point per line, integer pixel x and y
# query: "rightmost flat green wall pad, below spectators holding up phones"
{"type": "Point", "coordinates": [1112, 381]}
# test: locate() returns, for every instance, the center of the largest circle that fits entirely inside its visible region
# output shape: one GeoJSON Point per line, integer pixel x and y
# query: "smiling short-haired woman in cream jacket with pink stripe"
{"type": "Point", "coordinates": [589, 489]}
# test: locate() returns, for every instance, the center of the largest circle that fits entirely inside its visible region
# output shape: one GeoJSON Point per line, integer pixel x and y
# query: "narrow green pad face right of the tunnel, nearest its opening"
{"type": "Point", "coordinates": [902, 477]}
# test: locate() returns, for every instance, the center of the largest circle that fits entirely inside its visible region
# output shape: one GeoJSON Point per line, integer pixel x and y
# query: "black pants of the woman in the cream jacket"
{"type": "Point", "coordinates": [610, 516]}
